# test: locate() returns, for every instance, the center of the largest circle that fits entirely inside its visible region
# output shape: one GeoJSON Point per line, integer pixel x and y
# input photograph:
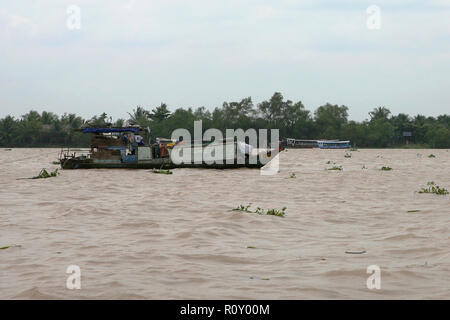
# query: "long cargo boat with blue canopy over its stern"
{"type": "Point", "coordinates": [127, 148]}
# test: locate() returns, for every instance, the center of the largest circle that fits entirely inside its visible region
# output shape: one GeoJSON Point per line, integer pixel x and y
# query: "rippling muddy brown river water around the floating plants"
{"type": "Point", "coordinates": [139, 235]}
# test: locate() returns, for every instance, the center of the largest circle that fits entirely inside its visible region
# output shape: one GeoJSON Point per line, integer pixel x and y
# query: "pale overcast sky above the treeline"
{"type": "Point", "coordinates": [200, 53]}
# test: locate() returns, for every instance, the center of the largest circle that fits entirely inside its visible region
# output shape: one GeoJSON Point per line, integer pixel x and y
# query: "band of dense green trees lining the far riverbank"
{"type": "Point", "coordinates": [294, 121]}
